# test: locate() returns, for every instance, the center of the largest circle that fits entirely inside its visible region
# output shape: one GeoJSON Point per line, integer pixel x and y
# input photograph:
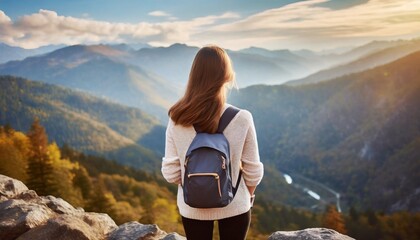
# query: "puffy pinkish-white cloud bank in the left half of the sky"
{"type": "Point", "coordinates": [47, 27]}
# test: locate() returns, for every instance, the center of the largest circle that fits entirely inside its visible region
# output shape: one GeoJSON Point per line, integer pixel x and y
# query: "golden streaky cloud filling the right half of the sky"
{"type": "Point", "coordinates": [308, 24]}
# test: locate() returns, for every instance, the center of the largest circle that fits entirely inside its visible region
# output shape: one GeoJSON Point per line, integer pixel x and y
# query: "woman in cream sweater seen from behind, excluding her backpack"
{"type": "Point", "coordinates": [202, 105]}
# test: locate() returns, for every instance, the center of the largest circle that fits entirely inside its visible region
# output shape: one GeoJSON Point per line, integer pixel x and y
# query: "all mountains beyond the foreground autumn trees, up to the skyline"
{"type": "Point", "coordinates": [353, 126]}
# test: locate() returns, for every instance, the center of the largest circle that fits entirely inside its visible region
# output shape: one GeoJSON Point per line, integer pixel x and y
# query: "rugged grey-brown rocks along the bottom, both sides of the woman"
{"type": "Point", "coordinates": [26, 216]}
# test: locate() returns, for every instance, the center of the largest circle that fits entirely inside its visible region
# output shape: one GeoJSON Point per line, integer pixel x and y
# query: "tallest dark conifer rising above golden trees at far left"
{"type": "Point", "coordinates": [40, 167]}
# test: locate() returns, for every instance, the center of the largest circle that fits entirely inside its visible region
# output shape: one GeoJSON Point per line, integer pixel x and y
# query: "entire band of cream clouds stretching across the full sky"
{"type": "Point", "coordinates": [302, 24]}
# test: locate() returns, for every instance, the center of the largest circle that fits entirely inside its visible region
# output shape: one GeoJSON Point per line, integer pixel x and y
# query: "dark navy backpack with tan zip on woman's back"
{"type": "Point", "coordinates": [208, 174]}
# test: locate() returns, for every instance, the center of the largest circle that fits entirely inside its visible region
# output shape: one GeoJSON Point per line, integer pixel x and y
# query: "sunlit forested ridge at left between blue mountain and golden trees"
{"type": "Point", "coordinates": [86, 123]}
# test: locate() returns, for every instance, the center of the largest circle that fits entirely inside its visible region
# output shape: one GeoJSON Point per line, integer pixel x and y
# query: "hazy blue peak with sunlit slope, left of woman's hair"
{"type": "Point", "coordinates": [102, 71]}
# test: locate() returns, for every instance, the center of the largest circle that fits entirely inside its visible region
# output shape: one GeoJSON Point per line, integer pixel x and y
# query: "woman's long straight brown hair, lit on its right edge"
{"type": "Point", "coordinates": [205, 96]}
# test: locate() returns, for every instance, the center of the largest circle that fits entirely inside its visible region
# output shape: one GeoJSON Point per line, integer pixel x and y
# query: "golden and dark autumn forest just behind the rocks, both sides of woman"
{"type": "Point", "coordinates": [129, 194]}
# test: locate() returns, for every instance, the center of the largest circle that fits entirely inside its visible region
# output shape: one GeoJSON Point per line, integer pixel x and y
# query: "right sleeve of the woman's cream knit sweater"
{"type": "Point", "coordinates": [253, 169]}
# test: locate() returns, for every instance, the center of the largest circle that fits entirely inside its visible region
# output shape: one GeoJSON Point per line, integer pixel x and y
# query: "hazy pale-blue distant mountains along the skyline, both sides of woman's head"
{"type": "Point", "coordinates": [153, 78]}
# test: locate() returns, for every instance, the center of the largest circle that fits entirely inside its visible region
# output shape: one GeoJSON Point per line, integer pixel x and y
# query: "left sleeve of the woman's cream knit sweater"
{"type": "Point", "coordinates": [171, 167]}
